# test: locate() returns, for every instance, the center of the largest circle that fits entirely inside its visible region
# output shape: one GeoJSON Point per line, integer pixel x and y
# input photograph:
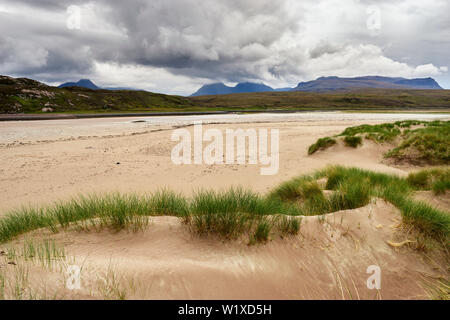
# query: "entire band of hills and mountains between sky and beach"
{"type": "Point", "coordinates": [22, 95]}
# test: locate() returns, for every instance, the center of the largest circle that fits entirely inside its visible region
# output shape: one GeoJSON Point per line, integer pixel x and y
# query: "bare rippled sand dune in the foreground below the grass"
{"type": "Point", "coordinates": [327, 260]}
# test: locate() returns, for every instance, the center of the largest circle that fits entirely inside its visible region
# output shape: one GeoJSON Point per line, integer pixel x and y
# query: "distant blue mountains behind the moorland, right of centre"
{"type": "Point", "coordinates": [325, 84]}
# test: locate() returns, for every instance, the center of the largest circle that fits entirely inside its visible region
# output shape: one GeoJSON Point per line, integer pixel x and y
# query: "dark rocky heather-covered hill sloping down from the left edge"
{"type": "Point", "coordinates": [29, 96]}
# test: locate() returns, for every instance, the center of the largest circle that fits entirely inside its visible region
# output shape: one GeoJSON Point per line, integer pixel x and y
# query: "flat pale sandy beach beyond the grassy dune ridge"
{"type": "Point", "coordinates": [47, 161]}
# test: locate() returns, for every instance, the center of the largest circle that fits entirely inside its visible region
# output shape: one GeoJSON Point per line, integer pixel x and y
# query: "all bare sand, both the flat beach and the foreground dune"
{"type": "Point", "coordinates": [48, 161]}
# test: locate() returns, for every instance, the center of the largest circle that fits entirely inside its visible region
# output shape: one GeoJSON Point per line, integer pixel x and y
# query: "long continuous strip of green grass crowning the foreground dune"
{"type": "Point", "coordinates": [236, 212]}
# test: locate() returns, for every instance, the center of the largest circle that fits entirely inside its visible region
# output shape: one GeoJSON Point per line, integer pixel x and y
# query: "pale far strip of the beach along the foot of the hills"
{"type": "Point", "coordinates": [26, 131]}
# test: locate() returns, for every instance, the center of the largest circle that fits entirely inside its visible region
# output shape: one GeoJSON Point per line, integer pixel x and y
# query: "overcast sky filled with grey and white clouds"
{"type": "Point", "coordinates": [176, 46]}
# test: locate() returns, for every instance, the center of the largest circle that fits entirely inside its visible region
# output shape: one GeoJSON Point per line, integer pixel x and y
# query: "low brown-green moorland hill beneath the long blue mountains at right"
{"type": "Point", "coordinates": [384, 99]}
